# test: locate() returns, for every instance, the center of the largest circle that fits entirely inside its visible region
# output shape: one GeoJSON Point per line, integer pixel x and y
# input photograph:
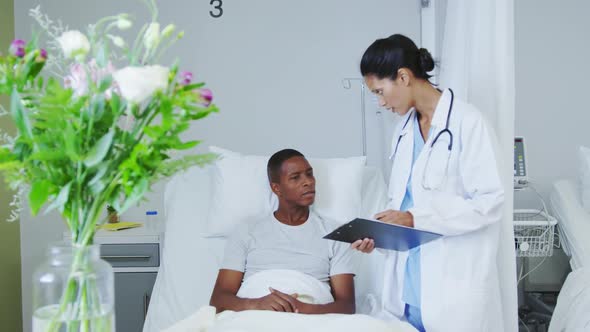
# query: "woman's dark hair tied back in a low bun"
{"type": "Point", "coordinates": [386, 56]}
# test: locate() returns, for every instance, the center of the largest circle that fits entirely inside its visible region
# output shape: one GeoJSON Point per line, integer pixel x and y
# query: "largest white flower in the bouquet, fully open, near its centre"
{"type": "Point", "coordinates": [136, 84]}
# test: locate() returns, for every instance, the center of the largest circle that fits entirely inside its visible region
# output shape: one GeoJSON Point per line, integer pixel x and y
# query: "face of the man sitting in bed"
{"type": "Point", "coordinates": [297, 183]}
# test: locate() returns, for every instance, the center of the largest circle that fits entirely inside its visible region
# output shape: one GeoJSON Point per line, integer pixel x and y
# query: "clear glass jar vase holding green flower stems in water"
{"type": "Point", "coordinates": [73, 291]}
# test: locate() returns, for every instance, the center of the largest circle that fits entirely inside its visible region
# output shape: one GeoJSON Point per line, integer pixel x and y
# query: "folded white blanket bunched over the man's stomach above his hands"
{"type": "Point", "coordinates": [307, 288]}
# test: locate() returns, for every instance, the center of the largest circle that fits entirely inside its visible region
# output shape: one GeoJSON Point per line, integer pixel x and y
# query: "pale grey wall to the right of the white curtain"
{"type": "Point", "coordinates": [552, 52]}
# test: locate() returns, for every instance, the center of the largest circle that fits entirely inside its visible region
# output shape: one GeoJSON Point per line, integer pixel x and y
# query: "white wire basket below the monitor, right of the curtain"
{"type": "Point", "coordinates": [534, 233]}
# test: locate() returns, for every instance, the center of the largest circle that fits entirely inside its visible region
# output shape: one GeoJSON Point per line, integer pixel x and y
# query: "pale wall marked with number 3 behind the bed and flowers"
{"type": "Point", "coordinates": [275, 67]}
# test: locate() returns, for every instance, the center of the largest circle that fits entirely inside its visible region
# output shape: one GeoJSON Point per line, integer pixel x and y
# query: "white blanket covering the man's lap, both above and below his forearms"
{"type": "Point", "coordinates": [307, 288]}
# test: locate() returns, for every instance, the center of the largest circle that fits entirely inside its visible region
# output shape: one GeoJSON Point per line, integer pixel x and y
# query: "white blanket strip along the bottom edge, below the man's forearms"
{"type": "Point", "coordinates": [205, 320]}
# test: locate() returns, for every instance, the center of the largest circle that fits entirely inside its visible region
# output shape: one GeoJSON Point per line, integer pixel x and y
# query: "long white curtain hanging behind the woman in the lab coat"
{"type": "Point", "coordinates": [477, 62]}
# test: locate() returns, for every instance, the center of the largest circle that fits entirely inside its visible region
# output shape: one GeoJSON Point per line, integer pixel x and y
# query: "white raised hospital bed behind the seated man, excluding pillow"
{"type": "Point", "coordinates": [191, 259]}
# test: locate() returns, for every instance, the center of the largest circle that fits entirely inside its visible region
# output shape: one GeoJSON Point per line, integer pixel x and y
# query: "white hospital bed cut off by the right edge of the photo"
{"type": "Point", "coordinates": [573, 304]}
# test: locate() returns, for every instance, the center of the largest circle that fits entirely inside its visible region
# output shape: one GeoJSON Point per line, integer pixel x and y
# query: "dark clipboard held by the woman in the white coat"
{"type": "Point", "coordinates": [386, 236]}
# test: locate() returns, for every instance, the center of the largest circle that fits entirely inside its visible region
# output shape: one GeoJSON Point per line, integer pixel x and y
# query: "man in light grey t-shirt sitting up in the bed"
{"type": "Point", "coordinates": [290, 238]}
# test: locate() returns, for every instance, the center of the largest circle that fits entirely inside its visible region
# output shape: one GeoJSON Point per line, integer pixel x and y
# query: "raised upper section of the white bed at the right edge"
{"type": "Point", "coordinates": [573, 222]}
